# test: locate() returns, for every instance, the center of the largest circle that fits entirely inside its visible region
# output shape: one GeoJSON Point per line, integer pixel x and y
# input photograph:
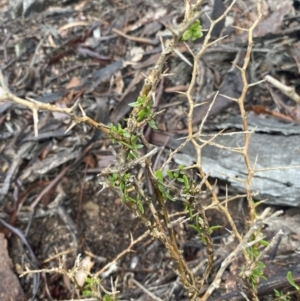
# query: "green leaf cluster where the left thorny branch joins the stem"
{"type": "Point", "coordinates": [132, 145]}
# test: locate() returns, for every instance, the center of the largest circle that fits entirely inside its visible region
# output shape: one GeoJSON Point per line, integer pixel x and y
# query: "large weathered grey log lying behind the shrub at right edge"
{"type": "Point", "coordinates": [280, 185]}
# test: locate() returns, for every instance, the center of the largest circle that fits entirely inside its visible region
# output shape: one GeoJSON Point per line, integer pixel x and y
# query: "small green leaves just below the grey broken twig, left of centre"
{"type": "Point", "coordinates": [124, 183]}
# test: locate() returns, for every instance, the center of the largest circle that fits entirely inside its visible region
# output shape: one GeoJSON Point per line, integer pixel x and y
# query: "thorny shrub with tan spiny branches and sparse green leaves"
{"type": "Point", "coordinates": [173, 185]}
